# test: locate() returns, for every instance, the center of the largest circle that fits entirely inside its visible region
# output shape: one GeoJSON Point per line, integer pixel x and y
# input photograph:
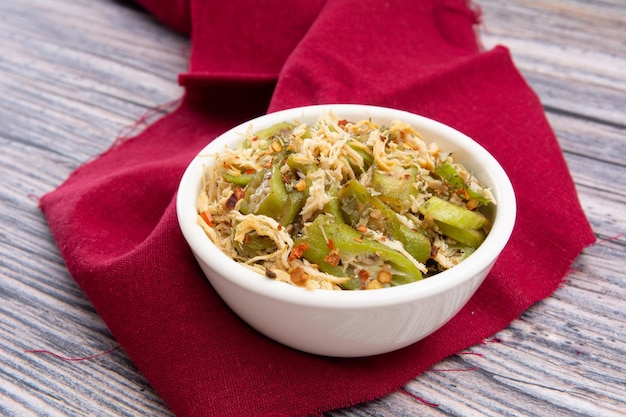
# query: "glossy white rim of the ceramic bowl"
{"type": "Point", "coordinates": [482, 259]}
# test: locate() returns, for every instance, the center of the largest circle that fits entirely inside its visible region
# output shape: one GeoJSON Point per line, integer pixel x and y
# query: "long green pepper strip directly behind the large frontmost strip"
{"type": "Point", "coordinates": [357, 205]}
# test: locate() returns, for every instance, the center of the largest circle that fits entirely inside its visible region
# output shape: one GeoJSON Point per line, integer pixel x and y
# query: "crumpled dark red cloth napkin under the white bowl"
{"type": "Point", "coordinates": [115, 224]}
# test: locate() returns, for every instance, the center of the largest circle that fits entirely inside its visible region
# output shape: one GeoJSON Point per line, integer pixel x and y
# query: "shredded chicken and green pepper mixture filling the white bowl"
{"type": "Point", "coordinates": [341, 204]}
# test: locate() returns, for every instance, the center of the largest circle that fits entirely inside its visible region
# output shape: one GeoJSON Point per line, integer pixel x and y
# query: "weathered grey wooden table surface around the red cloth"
{"type": "Point", "coordinates": [76, 74]}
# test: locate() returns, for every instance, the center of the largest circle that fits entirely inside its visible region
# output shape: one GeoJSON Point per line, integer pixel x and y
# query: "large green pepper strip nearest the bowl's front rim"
{"type": "Point", "coordinates": [325, 235]}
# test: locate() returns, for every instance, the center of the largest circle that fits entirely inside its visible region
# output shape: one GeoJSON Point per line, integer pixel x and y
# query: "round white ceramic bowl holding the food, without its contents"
{"type": "Point", "coordinates": [350, 323]}
